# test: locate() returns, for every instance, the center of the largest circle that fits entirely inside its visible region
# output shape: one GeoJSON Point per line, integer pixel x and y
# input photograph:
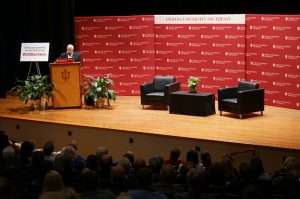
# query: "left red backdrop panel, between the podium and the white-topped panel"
{"type": "Point", "coordinates": [122, 46]}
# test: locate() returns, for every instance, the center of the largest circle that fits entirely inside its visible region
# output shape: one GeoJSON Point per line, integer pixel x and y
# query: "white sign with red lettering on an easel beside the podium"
{"type": "Point", "coordinates": [34, 52]}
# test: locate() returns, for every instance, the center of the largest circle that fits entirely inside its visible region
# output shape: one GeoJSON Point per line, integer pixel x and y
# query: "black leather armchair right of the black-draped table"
{"type": "Point", "coordinates": [243, 99]}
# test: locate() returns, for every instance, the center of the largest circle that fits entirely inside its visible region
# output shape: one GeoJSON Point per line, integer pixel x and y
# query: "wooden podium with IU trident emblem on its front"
{"type": "Point", "coordinates": [66, 77]}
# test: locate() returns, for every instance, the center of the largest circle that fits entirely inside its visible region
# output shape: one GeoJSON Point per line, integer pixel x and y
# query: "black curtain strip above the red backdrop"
{"type": "Point", "coordinates": [143, 7]}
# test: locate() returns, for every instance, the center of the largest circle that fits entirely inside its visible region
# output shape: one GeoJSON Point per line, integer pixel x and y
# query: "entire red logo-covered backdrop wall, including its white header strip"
{"type": "Point", "coordinates": [221, 49]}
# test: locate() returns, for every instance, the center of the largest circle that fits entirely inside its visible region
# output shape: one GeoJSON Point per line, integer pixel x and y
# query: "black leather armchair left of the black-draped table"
{"type": "Point", "coordinates": [158, 91]}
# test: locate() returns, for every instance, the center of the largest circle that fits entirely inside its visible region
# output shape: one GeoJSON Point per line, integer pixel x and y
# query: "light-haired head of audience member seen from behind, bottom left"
{"type": "Point", "coordinates": [53, 182]}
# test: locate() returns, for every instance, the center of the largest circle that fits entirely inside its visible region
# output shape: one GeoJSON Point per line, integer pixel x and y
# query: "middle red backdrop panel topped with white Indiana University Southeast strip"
{"type": "Point", "coordinates": [209, 46]}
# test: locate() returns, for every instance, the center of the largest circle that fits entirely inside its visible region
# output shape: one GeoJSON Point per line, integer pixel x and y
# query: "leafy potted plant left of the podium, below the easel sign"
{"type": "Point", "coordinates": [33, 90]}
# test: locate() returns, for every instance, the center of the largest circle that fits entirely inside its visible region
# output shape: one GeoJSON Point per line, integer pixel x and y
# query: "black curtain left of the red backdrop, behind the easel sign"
{"type": "Point", "coordinates": [32, 21]}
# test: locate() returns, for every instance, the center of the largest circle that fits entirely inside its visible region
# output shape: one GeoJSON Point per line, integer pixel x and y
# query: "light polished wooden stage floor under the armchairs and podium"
{"type": "Point", "coordinates": [279, 127]}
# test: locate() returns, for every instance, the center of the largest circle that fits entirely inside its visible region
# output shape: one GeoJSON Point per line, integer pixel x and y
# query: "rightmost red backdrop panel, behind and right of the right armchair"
{"type": "Point", "coordinates": [273, 57]}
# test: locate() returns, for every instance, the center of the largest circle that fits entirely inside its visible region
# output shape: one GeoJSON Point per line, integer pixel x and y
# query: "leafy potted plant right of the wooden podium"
{"type": "Point", "coordinates": [97, 90]}
